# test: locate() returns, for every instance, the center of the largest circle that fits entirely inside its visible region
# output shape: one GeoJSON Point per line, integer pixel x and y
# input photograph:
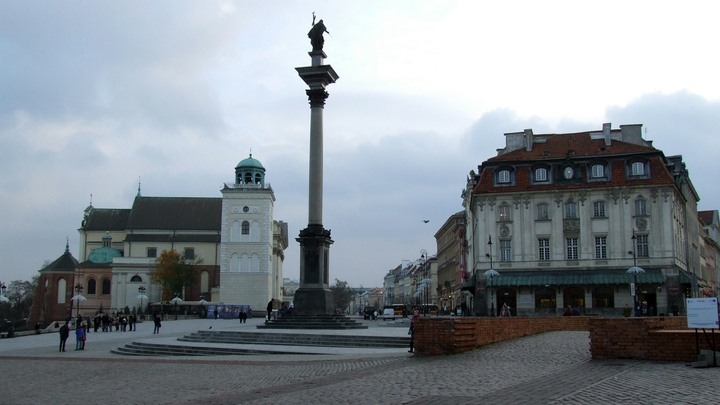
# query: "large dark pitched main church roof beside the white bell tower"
{"type": "Point", "coordinates": [176, 213]}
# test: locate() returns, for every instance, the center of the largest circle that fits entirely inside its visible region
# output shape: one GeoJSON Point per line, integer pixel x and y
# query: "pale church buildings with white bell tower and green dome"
{"type": "Point", "coordinates": [237, 245]}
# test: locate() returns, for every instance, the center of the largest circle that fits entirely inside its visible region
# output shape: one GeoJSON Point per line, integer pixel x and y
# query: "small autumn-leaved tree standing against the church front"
{"type": "Point", "coordinates": [173, 272]}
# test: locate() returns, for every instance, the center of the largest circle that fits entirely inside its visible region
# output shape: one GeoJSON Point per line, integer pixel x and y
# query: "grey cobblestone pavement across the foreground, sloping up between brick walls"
{"type": "Point", "coordinates": [552, 368]}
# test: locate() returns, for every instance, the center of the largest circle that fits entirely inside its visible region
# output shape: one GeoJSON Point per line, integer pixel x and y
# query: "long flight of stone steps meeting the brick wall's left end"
{"type": "Point", "coordinates": [284, 339]}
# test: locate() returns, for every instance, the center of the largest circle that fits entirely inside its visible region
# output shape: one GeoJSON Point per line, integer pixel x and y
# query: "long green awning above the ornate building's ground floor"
{"type": "Point", "coordinates": [575, 277]}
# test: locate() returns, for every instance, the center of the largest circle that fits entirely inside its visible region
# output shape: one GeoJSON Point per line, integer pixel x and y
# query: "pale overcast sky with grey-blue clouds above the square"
{"type": "Point", "coordinates": [95, 94]}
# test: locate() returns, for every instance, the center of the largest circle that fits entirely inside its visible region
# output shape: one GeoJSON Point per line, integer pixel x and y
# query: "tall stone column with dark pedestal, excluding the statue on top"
{"type": "Point", "coordinates": [314, 297]}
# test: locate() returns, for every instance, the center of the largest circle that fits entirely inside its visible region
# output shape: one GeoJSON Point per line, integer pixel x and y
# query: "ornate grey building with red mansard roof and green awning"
{"type": "Point", "coordinates": [561, 218]}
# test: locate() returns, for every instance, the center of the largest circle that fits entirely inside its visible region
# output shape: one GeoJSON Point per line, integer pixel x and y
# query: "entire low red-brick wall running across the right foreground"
{"type": "Point", "coordinates": [652, 338]}
